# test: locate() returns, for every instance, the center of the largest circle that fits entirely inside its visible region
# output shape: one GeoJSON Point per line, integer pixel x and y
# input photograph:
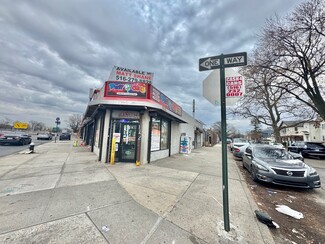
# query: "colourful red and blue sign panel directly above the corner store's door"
{"type": "Point", "coordinates": [126, 89]}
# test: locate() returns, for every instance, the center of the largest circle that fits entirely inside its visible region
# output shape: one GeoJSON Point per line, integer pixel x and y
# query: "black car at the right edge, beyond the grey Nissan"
{"type": "Point", "coordinates": [308, 149]}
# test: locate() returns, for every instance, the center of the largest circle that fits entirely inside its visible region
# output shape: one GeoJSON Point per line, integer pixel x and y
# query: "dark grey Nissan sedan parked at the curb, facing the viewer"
{"type": "Point", "coordinates": [275, 165]}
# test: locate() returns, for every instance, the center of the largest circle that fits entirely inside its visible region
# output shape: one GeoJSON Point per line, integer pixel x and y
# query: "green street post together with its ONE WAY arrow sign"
{"type": "Point", "coordinates": [221, 62]}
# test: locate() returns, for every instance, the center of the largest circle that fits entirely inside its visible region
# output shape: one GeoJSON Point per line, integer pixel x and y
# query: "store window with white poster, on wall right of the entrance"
{"type": "Point", "coordinates": [159, 134]}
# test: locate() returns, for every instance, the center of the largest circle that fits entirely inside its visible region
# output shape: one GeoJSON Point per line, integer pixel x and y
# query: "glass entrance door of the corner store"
{"type": "Point", "coordinates": [128, 146]}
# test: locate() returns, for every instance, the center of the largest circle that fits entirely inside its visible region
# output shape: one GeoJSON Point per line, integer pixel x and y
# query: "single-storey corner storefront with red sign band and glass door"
{"type": "Point", "coordinates": [130, 122]}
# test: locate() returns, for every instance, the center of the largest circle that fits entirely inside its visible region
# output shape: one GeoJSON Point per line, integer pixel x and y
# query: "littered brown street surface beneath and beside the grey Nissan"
{"type": "Point", "coordinates": [310, 202]}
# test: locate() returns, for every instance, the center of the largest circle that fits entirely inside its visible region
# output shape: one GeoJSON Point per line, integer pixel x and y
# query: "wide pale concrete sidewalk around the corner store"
{"type": "Point", "coordinates": [62, 194]}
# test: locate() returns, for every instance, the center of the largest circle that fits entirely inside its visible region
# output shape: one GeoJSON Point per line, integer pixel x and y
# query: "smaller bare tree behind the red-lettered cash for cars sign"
{"type": "Point", "coordinates": [265, 103]}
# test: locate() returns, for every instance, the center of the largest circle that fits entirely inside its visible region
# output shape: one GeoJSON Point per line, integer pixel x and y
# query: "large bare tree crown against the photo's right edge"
{"type": "Point", "coordinates": [293, 47]}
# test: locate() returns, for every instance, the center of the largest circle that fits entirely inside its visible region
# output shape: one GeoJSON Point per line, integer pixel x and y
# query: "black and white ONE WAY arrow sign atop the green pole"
{"type": "Point", "coordinates": [228, 60]}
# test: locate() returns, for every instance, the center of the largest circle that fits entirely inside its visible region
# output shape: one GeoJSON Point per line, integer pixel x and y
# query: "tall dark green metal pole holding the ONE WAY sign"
{"type": "Point", "coordinates": [224, 145]}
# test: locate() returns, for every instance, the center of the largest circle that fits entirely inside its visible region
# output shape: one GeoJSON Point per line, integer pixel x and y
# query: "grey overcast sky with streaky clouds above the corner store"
{"type": "Point", "coordinates": [53, 52]}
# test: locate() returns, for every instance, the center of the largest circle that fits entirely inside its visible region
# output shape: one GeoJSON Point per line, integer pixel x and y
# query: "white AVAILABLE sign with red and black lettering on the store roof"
{"type": "Point", "coordinates": [130, 75]}
